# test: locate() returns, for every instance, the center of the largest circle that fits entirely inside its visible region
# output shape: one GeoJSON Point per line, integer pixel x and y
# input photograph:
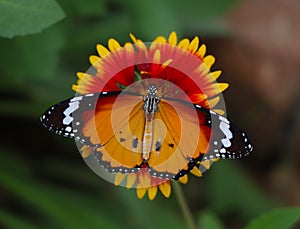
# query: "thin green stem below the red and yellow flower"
{"type": "Point", "coordinates": [183, 205]}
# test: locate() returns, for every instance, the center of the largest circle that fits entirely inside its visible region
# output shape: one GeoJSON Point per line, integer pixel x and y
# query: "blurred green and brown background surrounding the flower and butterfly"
{"type": "Point", "coordinates": [44, 183]}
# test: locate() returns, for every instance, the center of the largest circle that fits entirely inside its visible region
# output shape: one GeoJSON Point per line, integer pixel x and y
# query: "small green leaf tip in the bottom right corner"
{"type": "Point", "coordinates": [282, 218]}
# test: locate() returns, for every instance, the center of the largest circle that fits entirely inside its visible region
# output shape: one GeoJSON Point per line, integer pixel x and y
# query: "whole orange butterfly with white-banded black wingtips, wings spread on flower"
{"type": "Point", "coordinates": [129, 130]}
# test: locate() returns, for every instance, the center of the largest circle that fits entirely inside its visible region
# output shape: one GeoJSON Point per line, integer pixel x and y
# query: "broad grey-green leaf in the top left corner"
{"type": "Point", "coordinates": [22, 17]}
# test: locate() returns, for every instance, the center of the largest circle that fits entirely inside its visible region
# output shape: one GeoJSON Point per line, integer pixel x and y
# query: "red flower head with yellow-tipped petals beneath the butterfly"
{"type": "Point", "coordinates": [182, 63]}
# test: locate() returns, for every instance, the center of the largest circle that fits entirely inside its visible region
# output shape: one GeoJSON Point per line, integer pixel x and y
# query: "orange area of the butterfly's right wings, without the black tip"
{"type": "Point", "coordinates": [184, 137]}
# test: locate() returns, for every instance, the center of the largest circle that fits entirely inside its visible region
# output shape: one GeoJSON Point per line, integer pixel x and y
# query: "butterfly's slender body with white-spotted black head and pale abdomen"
{"type": "Point", "coordinates": [150, 107]}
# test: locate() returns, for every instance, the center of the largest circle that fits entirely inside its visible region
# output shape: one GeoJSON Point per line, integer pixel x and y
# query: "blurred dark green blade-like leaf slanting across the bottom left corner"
{"type": "Point", "coordinates": [62, 208]}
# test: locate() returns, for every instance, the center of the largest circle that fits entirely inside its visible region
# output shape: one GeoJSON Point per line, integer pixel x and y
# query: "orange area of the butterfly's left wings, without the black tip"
{"type": "Point", "coordinates": [114, 130]}
